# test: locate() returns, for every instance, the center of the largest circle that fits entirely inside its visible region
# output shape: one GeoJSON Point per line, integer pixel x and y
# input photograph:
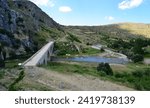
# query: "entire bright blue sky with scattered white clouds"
{"type": "Point", "coordinates": [96, 12]}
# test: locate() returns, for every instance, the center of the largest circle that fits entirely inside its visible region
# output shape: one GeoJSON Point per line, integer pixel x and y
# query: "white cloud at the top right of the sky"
{"type": "Point", "coordinates": [128, 4]}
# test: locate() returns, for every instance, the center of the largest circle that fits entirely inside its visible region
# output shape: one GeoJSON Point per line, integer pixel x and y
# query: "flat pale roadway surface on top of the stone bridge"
{"type": "Point", "coordinates": [34, 60]}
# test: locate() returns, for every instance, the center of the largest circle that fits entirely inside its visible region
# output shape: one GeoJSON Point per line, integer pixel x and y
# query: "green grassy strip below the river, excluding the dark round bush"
{"type": "Point", "coordinates": [128, 75]}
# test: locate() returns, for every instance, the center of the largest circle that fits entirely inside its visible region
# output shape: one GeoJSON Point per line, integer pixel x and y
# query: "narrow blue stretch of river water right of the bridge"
{"type": "Point", "coordinates": [95, 59]}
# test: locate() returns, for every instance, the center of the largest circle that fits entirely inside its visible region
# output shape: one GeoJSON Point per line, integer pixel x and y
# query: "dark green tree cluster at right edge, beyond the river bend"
{"type": "Point", "coordinates": [134, 49]}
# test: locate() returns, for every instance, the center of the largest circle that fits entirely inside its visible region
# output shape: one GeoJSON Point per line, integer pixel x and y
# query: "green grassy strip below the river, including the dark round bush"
{"type": "Point", "coordinates": [134, 77]}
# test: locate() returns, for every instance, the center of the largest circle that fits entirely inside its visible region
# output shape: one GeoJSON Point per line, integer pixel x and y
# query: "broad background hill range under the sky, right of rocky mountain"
{"type": "Point", "coordinates": [93, 34]}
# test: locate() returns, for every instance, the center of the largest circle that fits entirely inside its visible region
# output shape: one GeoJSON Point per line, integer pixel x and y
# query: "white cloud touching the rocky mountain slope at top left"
{"type": "Point", "coordinates": [49, 3]}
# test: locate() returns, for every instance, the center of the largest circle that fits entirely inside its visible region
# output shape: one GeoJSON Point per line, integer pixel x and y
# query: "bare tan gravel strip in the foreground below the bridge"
{"type": "Point", "coordinates": [71, 82]}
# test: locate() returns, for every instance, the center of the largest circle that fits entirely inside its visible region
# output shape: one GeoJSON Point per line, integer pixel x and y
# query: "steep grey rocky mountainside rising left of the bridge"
{"type": "Point", "coordinates": [24, 27]}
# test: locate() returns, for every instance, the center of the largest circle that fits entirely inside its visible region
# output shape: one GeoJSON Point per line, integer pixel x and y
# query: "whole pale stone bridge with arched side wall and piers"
{"type": "Point", "coordinates": [41, 57]}
